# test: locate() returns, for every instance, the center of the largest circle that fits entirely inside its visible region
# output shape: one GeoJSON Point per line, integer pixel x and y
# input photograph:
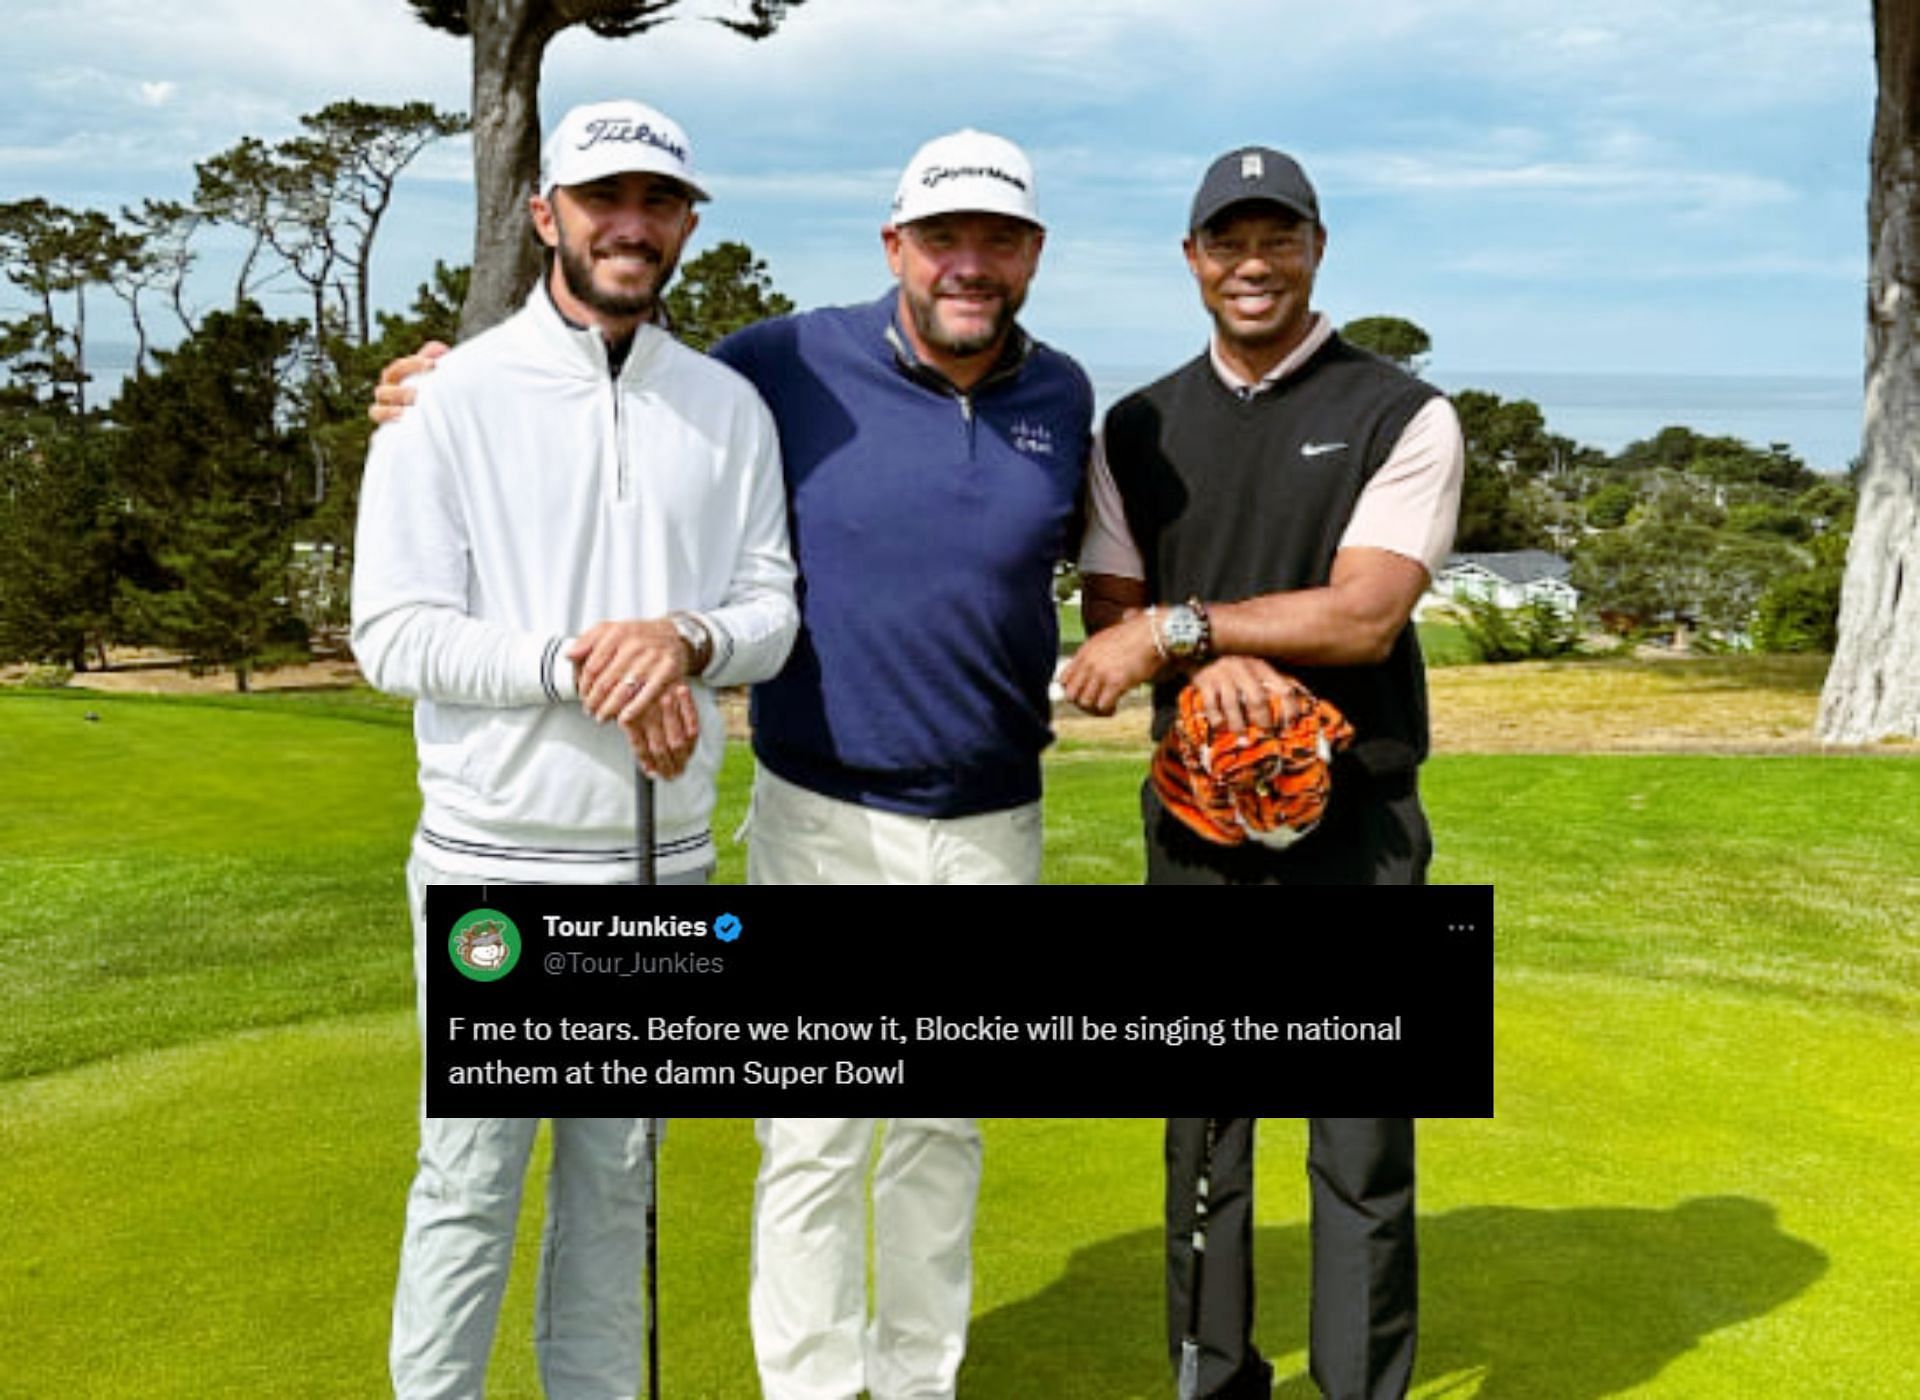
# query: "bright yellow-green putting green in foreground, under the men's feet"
{"type": "Point", "coordinates": [1683, 1195]}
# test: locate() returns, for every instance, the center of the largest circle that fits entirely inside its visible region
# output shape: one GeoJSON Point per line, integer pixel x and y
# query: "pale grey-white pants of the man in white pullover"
{"type": "Point", "coordinates": [458, 1245]}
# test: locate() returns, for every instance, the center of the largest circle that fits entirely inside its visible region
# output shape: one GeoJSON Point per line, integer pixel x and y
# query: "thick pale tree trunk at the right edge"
{"type": "Point", "coordinates": [1873, 690]}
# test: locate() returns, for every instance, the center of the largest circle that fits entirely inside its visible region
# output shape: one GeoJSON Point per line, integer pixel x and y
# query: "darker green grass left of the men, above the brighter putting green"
{"type": "Point", "coordinates": [180, 867]}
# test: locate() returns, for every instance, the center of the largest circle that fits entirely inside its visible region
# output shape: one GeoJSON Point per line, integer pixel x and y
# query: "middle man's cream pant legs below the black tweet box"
{"type": "Point", "coordinates": [811, 1330]}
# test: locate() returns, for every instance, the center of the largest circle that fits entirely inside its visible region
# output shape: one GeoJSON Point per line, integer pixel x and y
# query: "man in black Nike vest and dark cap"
{"type": "Point", "coordinates": [1264, 519]}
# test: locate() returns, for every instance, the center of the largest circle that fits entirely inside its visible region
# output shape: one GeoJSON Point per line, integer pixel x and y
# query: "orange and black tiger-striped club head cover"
{"type": "Point", "coordinates": [1266, 784]}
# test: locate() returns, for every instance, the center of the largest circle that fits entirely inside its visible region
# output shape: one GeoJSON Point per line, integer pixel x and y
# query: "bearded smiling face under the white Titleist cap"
{"type": "Point", "coordinates": [615, 245]}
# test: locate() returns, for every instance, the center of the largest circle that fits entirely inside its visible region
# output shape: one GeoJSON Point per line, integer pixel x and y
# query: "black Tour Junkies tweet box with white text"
{"type": "Point", "coordinates": [961, 1002]}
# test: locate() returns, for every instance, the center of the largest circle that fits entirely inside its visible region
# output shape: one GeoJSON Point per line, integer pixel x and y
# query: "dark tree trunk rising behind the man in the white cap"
{"type": "Point", "coordinates": [510, 39]}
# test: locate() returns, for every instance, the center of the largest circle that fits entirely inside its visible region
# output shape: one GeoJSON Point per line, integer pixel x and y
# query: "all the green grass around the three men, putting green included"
{"type": "Point", "coordinates": [1698, 1184]}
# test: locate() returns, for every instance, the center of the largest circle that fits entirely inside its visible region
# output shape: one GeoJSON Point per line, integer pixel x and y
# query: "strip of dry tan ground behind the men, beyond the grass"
{"type": "Point", "coordinates": [1616, 706]}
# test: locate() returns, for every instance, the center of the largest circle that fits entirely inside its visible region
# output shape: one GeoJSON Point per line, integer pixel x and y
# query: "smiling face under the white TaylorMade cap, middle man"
{"type": "Point", "coordinates": [963, 281]}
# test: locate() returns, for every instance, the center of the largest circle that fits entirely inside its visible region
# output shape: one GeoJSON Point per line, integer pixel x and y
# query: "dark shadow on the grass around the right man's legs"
{"type": "Point", "coordinates": [1548, 1305]}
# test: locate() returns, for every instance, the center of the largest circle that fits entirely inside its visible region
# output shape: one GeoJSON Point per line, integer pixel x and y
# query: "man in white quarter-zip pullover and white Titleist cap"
{"type": "Point", "coordinates": [573, 541]}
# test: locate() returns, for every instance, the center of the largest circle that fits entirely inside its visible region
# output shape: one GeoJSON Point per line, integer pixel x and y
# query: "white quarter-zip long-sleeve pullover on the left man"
{"type": "Point", "coordinates": [527, 496]}
